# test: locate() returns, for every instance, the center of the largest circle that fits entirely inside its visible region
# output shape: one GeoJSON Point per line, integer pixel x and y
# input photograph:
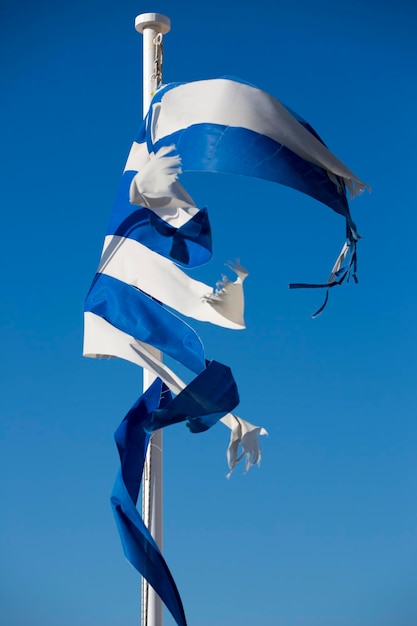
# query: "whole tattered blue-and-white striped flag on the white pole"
{"type": "Point", "coordinates": [141, 293]}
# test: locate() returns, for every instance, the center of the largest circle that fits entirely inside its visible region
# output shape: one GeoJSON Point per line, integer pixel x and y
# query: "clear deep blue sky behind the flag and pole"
{"type": "Point", "coordinates": [324, 533]}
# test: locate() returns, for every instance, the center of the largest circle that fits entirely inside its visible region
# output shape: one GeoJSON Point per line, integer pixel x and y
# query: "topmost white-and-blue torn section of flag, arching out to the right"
{"type": "Point", "coordinates": [209, 122]}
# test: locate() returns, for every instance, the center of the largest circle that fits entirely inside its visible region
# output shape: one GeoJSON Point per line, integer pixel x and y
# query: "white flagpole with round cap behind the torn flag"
{"type": "Point", "coordinates": [152, 26]}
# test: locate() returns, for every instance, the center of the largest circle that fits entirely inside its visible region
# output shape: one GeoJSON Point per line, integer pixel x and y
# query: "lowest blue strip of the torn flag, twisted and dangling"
{"type": "Point", "coordinates": [206, 399]}
